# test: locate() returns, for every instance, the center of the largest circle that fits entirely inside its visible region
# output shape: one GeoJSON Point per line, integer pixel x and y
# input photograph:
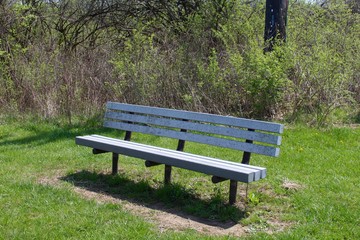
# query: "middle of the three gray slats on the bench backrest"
{"type": "Point", "coordinates": [195, 126]}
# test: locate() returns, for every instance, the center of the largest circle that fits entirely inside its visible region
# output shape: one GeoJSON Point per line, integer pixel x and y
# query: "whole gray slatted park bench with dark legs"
{"type": "Point", "coordinates": [248, 136]}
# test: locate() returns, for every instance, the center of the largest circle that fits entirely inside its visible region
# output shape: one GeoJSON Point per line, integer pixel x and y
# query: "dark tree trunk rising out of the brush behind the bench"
{"type": "Point", "coordinates": [275, 22]}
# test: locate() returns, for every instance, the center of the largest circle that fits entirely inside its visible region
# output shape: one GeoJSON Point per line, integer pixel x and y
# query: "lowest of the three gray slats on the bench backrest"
{"type": "Point", "coordinates": [242, 146]}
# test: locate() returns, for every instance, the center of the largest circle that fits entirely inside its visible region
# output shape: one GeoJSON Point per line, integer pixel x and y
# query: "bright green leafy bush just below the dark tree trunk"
{"type": "Point", "coordinates": [265, 81]}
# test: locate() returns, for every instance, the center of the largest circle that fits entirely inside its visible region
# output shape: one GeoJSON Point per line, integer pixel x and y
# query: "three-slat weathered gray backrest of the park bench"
{"type": "Point", "coordinates": [225, 131]}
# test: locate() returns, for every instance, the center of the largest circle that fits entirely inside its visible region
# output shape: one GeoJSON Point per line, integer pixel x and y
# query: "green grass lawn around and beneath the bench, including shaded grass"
{"type": "Point", "coordinates": [313, 188]}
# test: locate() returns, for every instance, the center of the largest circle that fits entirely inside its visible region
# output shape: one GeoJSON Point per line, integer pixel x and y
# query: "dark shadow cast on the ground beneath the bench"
{"type": "Point", "coordinates": [172, 198]}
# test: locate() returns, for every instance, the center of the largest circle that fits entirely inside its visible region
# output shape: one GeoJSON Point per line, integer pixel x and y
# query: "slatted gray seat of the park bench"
{"type": "Point", "coordinates": [173, 158]}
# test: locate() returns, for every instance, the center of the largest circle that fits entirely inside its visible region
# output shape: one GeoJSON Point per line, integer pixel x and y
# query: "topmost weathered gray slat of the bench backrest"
{"type": "Point", "coordinates": [203, 117]}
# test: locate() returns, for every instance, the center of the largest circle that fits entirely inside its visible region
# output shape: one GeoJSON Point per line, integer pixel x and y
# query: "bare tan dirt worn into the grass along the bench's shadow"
{"type": "Point", "coordinates": [164, 218]}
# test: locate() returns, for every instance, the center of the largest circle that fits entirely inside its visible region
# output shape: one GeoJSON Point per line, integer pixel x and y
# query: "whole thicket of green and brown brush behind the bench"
{"type": "Point", "coordinates": [64, 58]}
